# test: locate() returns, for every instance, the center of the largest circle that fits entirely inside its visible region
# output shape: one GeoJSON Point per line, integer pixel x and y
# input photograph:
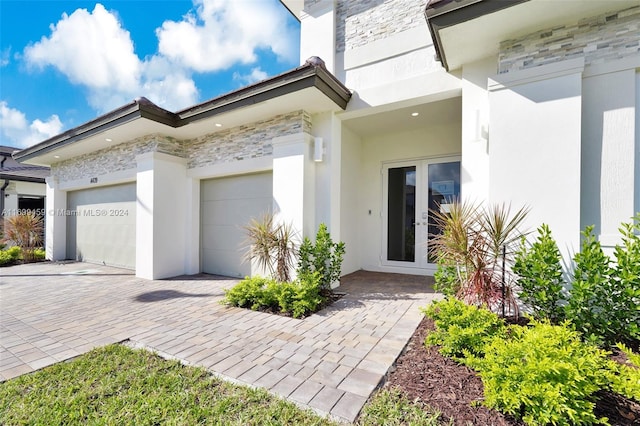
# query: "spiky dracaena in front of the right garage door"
{"type": "Point", "coordinates": [273, 245]}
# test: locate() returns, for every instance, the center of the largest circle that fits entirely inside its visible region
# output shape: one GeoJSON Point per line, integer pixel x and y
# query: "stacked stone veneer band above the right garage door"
{"type": "Point", "coordinates": [248, 141]}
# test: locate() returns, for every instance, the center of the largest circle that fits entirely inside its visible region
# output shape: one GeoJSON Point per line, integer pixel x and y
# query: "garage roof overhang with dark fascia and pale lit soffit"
{"type": "Point", "coordinates": [310, 87]}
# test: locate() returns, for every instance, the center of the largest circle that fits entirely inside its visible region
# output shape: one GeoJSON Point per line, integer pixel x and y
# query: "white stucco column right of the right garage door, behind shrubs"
{"type": "Point", "coordinates": [294, 182]}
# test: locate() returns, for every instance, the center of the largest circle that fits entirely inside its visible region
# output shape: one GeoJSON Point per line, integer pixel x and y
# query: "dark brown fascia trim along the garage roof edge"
{"type": "Point", "coordinates": [312, 74]}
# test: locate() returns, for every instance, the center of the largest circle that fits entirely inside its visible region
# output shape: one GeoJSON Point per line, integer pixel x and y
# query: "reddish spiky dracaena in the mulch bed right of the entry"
{"type": "Point", "coordinates": [476, 239]}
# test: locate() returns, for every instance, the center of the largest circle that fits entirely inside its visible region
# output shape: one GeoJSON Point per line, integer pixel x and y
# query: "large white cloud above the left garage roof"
{"type": "Point", "coordinates": [93, 50]}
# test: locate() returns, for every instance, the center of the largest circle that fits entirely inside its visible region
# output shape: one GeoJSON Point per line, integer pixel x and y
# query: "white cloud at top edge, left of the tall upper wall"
{"type": "Point", "coordinates": [222, 33]}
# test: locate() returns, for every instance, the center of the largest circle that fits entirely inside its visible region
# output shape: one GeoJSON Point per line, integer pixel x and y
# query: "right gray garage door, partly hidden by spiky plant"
{"type": "Point", "coordinates": [228, 204]}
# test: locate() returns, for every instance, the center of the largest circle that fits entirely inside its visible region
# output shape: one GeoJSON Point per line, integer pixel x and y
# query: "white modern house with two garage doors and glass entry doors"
{"type": "Point", "coordinates": [529, 102]}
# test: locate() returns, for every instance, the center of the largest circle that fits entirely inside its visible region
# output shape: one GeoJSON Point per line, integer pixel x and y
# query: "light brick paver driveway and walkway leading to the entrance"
{"type": "Point", "coordinates": [330, 361]}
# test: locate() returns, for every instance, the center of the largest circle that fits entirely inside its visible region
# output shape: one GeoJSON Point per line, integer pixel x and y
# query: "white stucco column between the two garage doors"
{"type": "Point", "coordinates": [161, 215]}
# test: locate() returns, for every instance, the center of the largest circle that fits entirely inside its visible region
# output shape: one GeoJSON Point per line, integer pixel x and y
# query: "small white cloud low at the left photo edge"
{"type": "Point", "coordinates": [18, 132]}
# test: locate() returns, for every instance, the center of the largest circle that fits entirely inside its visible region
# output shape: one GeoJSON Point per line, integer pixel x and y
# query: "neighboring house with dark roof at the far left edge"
{"type": "Point", "coordinates": [22, 186]}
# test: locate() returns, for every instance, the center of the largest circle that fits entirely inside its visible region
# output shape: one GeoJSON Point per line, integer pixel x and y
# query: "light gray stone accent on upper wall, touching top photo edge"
{"type": "Point", "coordinates": [359, 22]}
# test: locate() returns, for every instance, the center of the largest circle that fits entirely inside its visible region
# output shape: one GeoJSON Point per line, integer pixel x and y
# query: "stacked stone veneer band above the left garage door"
{"type": "Point", "coordinates": [116, 158]}
